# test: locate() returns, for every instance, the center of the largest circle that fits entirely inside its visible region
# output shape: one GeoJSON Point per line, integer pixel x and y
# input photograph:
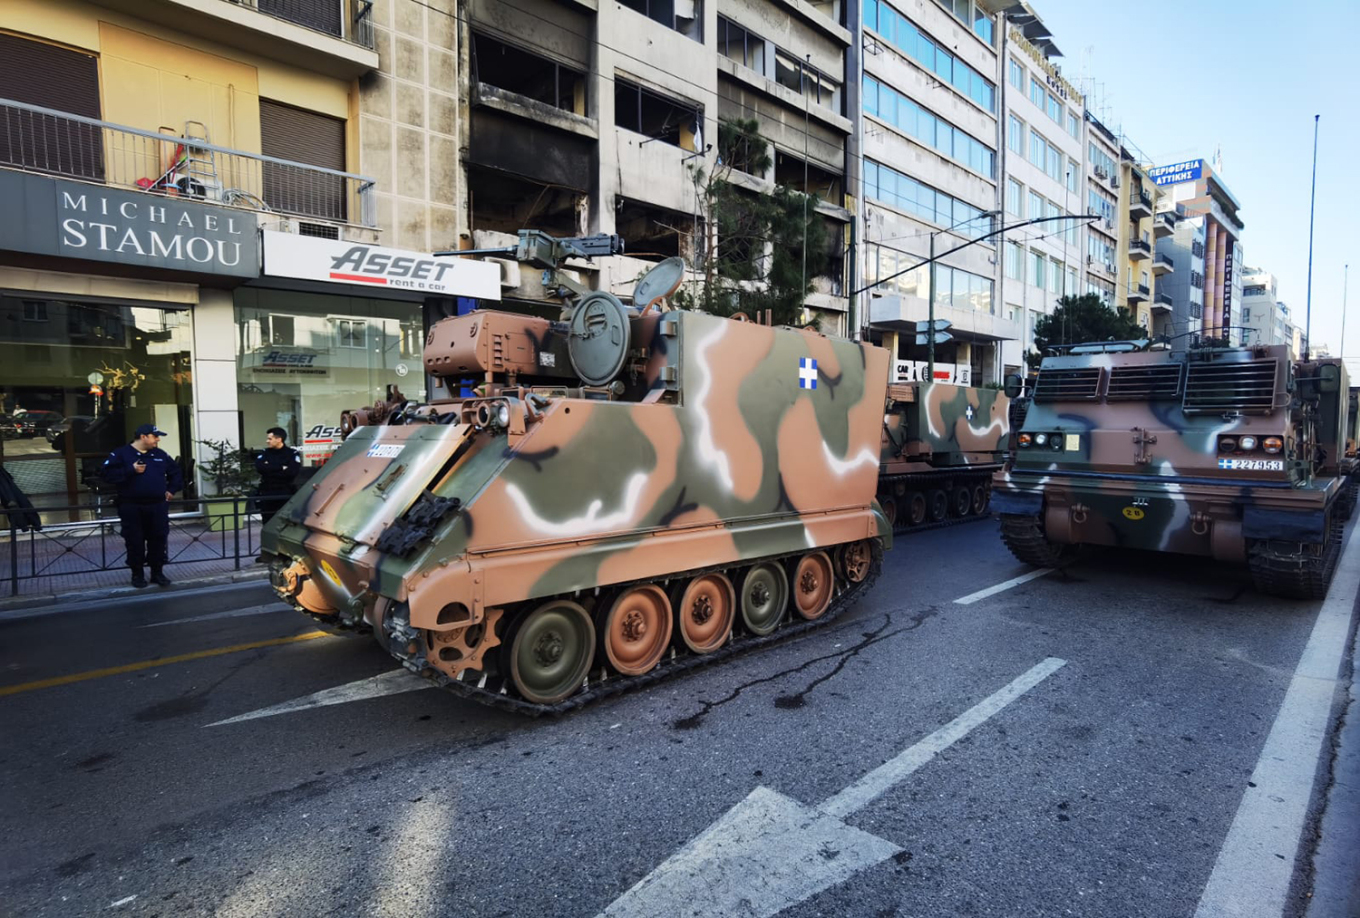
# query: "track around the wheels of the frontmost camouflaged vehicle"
{"type": "Point", "coordinates": [494, 690]}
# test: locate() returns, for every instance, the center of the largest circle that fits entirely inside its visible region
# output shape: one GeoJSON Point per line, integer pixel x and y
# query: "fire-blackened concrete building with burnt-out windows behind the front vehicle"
{"type": "Point", "coordinates": [592, 120]}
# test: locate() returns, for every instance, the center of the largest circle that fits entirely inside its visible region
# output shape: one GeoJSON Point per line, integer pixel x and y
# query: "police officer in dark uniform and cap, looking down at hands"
{"type": "Point", "coordinates": [148, 479]}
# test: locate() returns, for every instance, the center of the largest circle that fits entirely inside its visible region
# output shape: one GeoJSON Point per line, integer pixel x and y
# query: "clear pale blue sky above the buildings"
{"type": "Point", "coordinates": [1184, 78]}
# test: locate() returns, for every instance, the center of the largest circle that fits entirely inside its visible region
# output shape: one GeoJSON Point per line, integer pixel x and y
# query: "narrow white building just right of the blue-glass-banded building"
{"type": "Point", "coordinates": [1044, 179]}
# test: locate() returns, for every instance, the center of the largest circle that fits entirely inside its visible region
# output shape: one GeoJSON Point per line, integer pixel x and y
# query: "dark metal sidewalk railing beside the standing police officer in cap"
{"type": "Point", "coordinates": [218, 534]}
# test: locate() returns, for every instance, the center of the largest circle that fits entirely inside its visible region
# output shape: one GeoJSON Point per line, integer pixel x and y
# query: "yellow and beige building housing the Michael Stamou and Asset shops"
{"type": "Point", "coordinates": [194, 191]}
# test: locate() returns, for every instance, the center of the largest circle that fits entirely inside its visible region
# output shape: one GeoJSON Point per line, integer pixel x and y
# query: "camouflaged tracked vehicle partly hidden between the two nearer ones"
{"type": "Point", "coordinates": [942, 445]}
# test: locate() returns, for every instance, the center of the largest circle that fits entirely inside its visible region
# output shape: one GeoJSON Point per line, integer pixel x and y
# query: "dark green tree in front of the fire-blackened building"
{"type": "Point", "coordinates": [751, 254]}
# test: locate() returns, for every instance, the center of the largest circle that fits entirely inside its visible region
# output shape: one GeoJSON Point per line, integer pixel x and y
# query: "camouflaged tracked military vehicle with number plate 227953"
{"type": "Point", "coordinates": [1227, 452]}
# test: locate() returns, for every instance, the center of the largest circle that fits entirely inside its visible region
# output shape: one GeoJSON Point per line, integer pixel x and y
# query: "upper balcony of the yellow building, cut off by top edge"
{"type": "Point", "coordinates": [333, 37]}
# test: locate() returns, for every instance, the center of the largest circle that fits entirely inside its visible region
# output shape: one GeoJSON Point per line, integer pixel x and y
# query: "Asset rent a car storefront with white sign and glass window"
{"type": "Point", "coordinates": [338, 326]}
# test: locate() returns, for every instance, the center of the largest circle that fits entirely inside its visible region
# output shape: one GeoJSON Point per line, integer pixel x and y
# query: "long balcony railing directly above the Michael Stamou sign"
{"type": "Point", "coordinates": [71, 146]}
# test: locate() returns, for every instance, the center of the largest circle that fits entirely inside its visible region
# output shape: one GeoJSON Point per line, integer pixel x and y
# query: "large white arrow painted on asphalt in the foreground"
{"type": "Point", "coordinates": [770, 852]}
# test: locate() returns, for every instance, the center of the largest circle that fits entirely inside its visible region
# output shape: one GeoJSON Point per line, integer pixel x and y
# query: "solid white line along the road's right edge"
{"type": "Point", "coordinates": [1256, 863]}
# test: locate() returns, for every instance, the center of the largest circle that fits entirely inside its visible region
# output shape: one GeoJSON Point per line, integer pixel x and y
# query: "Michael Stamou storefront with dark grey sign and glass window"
{"type": "Point", "coordinates": [99, 297]}
